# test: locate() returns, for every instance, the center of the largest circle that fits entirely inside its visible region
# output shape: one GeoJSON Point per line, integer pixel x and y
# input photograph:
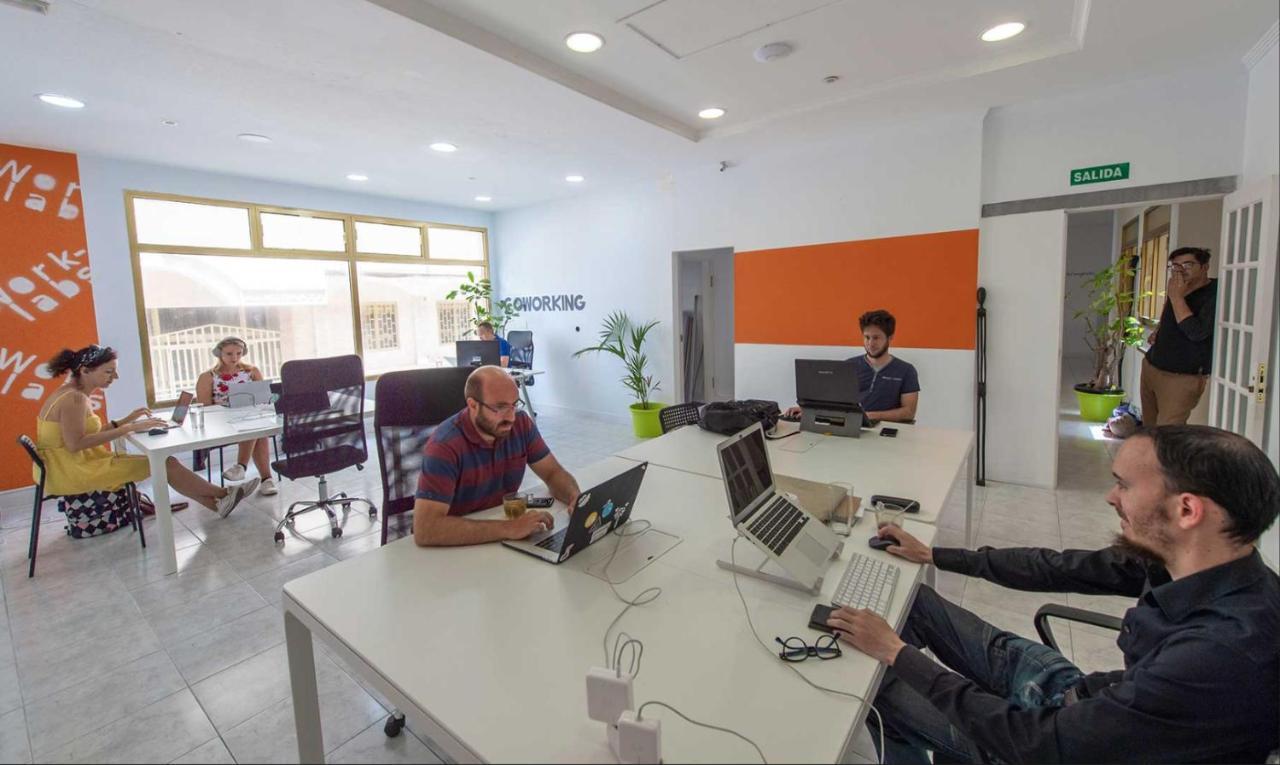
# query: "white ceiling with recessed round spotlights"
{"type": "Point", "coordinates": [349, 86]}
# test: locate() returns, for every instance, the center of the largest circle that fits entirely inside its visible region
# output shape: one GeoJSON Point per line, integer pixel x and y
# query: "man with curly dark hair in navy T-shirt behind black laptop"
{"type": "Point", "coordinates": [889, 388]}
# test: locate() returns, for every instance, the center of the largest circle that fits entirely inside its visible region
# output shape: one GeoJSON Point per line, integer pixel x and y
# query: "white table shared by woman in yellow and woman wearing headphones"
{"type": "Point", "coordinates": [222, 427]}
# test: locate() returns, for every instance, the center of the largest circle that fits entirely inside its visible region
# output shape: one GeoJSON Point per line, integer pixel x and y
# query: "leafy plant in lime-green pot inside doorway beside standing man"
{"type": "Point", "coordinates": [1110, 329]}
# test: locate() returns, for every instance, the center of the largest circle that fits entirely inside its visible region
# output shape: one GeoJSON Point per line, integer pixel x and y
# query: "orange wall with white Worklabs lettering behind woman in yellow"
{"type": "Point", "coordinates": [47, 301]}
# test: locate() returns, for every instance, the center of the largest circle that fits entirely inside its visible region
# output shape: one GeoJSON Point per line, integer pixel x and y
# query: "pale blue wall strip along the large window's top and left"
{"type": "Point", "coordinates": [104, 185]}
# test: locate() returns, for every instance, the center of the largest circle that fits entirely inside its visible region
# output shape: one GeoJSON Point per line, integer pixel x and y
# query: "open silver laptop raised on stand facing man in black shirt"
{"type": "Point", "coordinates": [798, 542]}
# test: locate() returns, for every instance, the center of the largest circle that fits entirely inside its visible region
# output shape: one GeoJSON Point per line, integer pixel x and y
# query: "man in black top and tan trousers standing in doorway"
{"type": "Point", "coordinates": [1176, 373]}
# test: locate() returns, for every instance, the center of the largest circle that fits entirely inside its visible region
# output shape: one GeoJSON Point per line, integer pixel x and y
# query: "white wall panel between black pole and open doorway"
{"type": "Point", "coordinates": [1022, 264]}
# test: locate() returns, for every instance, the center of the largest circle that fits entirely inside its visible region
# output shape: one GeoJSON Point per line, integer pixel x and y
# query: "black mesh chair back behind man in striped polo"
{"type": "Point", "coordinates": [408, 409]}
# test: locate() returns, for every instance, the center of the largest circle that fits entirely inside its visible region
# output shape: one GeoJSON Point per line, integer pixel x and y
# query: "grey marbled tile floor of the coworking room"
{"type": "Point", "coordinates": [104, 659]}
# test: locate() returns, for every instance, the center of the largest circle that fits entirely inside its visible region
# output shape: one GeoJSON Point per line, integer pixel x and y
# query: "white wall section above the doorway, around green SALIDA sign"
{"type": "Point", "coordinates": [1182, 127]}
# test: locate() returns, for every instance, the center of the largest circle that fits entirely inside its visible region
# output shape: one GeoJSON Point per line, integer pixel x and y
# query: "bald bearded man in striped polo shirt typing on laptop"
{"type": "Point", "coordinates": [477, 457]}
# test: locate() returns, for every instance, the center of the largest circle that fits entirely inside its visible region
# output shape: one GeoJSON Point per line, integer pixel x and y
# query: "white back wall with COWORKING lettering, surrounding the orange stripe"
{"type": "Point", "coordinates": [616, 248]}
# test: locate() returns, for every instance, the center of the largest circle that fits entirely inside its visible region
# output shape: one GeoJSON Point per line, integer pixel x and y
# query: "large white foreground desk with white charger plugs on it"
{"type": "Point", "coordinates": [486, 651]}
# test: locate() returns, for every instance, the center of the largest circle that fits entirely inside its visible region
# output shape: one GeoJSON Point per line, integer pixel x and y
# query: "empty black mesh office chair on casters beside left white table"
{"type": "Point", "coordinates": [323, 404]}
